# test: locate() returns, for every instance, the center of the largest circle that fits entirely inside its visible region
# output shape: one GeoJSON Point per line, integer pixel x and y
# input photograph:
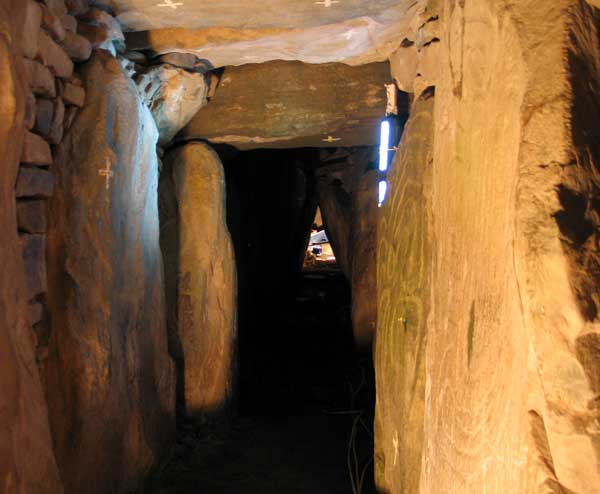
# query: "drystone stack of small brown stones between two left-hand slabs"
{"type": "Point", "coordinates": [54, 37]}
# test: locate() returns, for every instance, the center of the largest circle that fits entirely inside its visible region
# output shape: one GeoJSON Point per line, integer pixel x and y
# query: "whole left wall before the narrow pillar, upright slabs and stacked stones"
{"type": "Point", "coordinates": [85, 353]}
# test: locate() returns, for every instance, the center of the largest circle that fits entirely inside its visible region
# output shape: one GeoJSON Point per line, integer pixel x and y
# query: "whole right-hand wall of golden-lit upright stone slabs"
{"type": "Point", "coordinates": [510, 400]}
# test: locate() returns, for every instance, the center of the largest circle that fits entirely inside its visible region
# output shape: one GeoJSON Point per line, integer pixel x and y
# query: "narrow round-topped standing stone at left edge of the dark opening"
{"type": "Point", "coordinates": [201, 277]}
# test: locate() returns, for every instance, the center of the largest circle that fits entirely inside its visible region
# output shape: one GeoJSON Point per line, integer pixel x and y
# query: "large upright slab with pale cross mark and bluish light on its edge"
{"type": "Point", "coordinates": [109, 379]}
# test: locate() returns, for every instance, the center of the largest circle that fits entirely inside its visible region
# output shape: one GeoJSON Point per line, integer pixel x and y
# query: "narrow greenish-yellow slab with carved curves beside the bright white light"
{"type": "Point", "coordinates": [404, 284]}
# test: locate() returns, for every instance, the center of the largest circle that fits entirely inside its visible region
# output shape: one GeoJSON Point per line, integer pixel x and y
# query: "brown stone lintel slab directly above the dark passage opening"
{"type": "Point", "coordinates": [290, 104]}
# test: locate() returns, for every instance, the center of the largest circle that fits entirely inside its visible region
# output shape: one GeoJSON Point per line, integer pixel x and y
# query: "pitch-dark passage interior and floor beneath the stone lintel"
{"type": "Point", "coordinates": [303, 417]}
